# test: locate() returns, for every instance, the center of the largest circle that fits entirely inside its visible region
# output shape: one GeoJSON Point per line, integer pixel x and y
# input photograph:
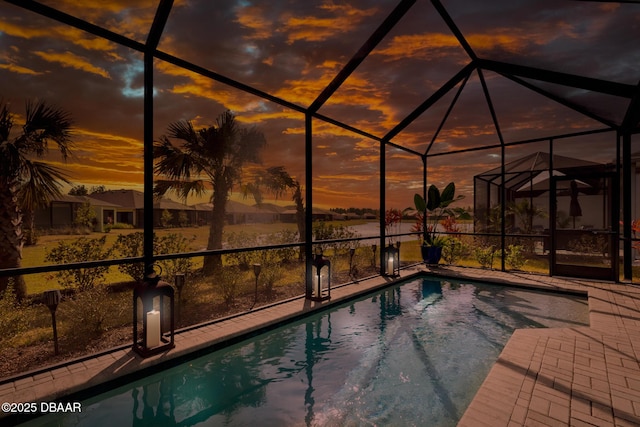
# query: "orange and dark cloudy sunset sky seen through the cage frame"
{"type": "Point", "coordinates": [292, 50]}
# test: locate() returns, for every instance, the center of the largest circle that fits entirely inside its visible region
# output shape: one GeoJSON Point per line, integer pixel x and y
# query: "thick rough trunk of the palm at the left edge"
{"type": "Point", "coordinates": [11, 237]}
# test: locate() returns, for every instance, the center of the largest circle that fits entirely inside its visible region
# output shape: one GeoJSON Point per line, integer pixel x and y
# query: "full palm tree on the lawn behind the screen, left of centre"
{"type": "Point", "coordinates": [209, 157]}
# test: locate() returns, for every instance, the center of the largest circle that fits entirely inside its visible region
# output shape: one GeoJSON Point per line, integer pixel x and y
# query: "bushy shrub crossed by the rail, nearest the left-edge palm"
{"type": "Point", "coordinates": [80, 250]}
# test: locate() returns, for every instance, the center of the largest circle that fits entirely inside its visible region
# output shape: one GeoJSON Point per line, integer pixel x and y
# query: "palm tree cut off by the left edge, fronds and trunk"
{"type": "Point", "coordinates": [25, 182]}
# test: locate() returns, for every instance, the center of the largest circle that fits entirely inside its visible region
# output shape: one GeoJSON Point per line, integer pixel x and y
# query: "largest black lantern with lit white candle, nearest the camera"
{"type": "Point", "coordinates": [153, 315]}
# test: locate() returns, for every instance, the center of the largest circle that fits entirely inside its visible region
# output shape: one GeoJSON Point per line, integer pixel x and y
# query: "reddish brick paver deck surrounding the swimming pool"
{"type": "Point", "coordinates": [581, 376]}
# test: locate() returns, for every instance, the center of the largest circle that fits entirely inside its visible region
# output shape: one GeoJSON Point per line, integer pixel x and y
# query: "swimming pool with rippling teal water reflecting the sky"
{"type": "Point", "coordinates": [411, 354]}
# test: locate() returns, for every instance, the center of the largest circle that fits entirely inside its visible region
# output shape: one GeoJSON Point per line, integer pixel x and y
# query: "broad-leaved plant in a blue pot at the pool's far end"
{"type": "Point", "coordinates": [433, 209]}
